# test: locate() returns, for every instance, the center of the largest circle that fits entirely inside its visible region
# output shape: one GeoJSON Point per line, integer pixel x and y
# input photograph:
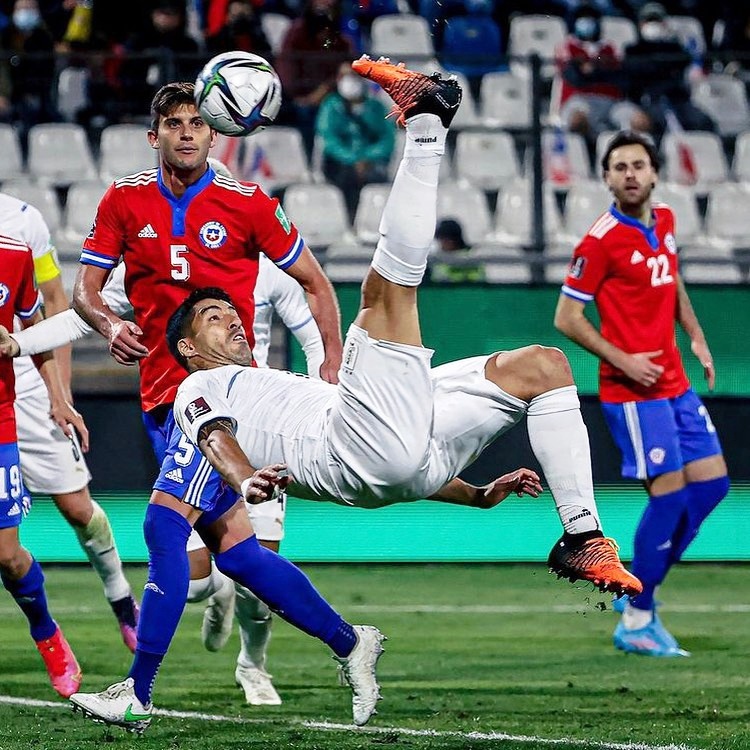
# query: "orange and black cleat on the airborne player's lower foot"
{"type": "Point", "coordinates": [595, 560]}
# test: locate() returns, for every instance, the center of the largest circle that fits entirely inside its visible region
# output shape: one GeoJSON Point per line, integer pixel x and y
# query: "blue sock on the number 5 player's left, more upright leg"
{"type": "Point", "coordinates": [166, 533]}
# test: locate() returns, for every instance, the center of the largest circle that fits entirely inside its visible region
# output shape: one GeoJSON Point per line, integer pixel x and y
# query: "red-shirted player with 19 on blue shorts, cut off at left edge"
{"type": "Point", "coordinates": [21, 574]}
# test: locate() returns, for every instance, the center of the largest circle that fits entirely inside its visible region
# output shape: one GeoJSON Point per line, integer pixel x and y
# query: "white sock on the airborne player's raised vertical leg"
{"type": "Point", "coordinates": [407, 226]}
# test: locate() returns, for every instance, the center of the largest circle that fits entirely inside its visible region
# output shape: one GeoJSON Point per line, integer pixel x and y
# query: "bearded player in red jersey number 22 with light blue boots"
{"type": "Point", "coordinates": [627, 264]}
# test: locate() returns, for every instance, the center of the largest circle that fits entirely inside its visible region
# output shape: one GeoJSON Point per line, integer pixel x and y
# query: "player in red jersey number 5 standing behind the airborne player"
{"type": "Point", "coordinates": [181, 227]}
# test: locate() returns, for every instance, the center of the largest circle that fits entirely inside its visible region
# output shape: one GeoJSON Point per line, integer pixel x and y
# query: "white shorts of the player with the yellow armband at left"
{"type": "Point", "coordinates": [51, 462]}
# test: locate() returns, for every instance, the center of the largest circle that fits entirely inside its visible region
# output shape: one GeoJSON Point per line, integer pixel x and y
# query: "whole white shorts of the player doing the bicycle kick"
{"type": "Point", "coordinates": [399, 430]}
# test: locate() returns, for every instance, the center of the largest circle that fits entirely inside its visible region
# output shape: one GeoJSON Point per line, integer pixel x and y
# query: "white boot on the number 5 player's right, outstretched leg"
{"type": "Point", "coordinates": [358, 670]}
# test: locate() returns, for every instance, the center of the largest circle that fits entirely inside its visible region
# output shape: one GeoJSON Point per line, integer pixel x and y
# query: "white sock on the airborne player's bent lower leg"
{"type": "Point", "coordinates": [560, 442]}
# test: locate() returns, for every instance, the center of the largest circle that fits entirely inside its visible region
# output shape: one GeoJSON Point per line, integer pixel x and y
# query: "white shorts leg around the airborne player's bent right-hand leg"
{"type": "Point", "coordinates": [470, 412]}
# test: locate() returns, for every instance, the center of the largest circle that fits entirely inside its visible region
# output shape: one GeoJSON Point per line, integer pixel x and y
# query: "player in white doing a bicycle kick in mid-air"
{"type": "Point", "coordinates": [393, 429]}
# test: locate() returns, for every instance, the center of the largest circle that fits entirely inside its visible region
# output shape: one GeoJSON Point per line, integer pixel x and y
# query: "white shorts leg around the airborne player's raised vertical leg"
{"type": "Point", "coordinates": [381, 417]}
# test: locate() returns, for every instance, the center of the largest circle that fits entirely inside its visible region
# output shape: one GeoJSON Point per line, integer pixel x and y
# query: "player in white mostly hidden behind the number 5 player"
{"type": "Point", "coordinates": [276, 292]}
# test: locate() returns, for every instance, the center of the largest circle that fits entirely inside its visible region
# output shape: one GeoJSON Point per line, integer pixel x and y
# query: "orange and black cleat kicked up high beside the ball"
{"type": "Point", "coordinates": [413, 93]}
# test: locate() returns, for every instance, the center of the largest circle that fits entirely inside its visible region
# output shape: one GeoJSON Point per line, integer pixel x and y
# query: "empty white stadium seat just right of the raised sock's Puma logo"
{"type": "Point", "coordinates": [486, 159]}
